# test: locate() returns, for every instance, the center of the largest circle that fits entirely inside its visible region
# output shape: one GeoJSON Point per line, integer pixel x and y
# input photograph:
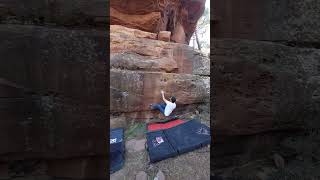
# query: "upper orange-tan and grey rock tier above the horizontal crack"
{"type": "Point", "coordinates": [132, 52]}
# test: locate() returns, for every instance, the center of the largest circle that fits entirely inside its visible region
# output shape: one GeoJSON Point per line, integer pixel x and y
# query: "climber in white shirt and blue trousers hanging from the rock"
{"type": "Point", "coordinates": [167, 107]}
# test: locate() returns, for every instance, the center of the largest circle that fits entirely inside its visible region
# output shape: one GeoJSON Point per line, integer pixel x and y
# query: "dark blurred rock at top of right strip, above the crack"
{"type": "Point", "coordinates": [272, 20]}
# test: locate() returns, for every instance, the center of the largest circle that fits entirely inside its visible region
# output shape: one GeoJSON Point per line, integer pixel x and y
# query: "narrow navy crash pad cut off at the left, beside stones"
{"type": "Point", "coordinates": [116, 154]}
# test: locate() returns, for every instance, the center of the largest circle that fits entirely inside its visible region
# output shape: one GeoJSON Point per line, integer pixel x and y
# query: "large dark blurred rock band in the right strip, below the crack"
{"type": "Point", "coordinates": [266, 85]}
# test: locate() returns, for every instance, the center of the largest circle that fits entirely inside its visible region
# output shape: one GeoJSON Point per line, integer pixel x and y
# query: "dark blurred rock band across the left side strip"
{"type": "Point", "coordinates": [64, 62]}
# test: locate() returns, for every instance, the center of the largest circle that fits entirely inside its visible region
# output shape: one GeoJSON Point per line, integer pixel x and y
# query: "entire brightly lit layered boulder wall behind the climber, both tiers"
{"type": "Point", "coordinates": [142, 66]}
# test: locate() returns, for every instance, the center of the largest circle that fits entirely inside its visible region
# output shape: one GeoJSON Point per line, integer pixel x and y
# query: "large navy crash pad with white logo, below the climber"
{"type": "Point", "coordinates": [176, 140]}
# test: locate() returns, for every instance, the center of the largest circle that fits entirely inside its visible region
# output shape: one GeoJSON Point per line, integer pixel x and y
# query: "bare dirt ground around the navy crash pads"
{"type": "Point", "coordinates": [194, 165]}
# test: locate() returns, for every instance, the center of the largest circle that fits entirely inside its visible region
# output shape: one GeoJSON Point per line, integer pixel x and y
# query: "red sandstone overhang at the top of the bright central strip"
{"type": "Point", "coordinates": [177, 16]}
